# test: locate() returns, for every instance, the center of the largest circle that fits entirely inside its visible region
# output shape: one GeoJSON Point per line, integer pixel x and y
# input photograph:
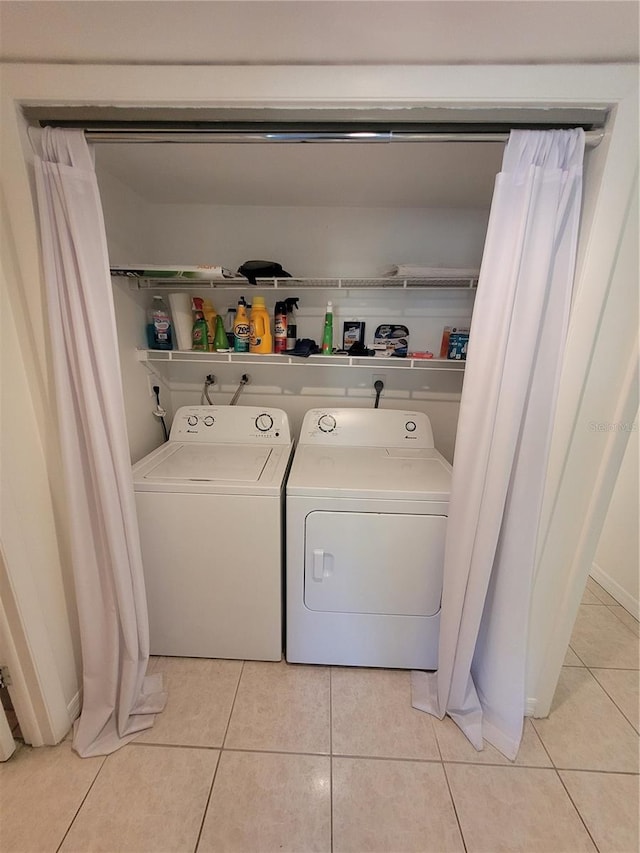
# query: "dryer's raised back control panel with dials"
{"type": "Point", "coordinates": [366, 428]}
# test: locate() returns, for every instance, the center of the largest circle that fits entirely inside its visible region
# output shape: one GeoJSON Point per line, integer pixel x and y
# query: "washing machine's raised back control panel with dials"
{"type": "Point", "coordinates": [231, 425]}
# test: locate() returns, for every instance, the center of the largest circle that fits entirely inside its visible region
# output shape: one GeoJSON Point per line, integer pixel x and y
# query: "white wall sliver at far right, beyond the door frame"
{"type": "Point", "coordinates": [617, 563]}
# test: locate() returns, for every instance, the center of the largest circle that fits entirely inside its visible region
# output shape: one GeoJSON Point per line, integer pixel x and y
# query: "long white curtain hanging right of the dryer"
{"type": "Point", "coordinates": [507, 409]}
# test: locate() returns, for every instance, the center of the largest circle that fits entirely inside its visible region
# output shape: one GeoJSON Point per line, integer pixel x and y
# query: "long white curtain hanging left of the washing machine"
{"type": "Point", "coordinates": [118, 700]}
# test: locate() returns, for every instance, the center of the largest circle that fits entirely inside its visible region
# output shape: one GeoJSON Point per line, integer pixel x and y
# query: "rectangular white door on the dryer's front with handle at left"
{"type": "Point", "coordinates": [361, 562]}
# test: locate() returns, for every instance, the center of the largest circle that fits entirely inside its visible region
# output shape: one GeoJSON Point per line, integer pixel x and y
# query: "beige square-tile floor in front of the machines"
{"type": "Point", "coordinates": [255, 757]}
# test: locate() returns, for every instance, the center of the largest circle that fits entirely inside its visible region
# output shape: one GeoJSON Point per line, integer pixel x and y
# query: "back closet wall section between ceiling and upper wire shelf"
{"type": "Point", "coordinates": [319, 241]}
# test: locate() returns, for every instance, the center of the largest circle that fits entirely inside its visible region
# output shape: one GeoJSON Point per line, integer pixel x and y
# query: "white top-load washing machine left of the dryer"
{"type": "Point", "coordinates": [210, 504]}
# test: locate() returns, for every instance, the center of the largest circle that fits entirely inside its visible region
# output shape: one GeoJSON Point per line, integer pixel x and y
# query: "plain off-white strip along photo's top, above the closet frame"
{"type": "Point", "coordinates": [327, 32]}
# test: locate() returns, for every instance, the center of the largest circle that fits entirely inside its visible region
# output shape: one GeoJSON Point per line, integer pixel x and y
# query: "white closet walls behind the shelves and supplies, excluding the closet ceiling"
{"type": "Point", "coordinates": [308, 241]}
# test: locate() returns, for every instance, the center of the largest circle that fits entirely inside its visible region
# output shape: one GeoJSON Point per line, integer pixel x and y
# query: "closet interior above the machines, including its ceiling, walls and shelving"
{"type": "Point", "coordinates": [338, 216]}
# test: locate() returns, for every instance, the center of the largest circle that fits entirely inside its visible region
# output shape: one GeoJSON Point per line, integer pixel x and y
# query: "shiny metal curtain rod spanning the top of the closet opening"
{"type": "Point", "coordinates": [592, 137]}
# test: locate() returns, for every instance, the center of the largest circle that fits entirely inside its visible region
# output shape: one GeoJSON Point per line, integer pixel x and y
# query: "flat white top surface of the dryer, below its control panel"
{"type": "Point", "coordinates": [370, 472]}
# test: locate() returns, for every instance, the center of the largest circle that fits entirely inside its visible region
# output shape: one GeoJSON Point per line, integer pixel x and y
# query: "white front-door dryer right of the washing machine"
{"type": "Point", "coordinates": [367, 503]}
